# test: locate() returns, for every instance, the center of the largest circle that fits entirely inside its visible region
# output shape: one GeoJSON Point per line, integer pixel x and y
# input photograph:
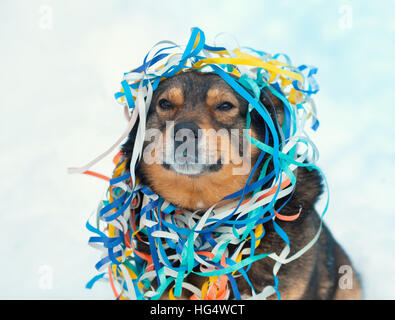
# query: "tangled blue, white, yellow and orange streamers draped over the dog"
{"type": "Point", "coordinates": [199, 241]}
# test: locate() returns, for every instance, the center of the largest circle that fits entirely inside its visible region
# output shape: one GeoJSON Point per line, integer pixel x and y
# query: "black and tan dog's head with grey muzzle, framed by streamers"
{"type": "Point", "coordinates": [196, 150]}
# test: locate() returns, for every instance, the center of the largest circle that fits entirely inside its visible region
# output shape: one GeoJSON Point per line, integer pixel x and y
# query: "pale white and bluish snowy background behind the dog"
{"type": "Point", "coordinates": [63, 60]}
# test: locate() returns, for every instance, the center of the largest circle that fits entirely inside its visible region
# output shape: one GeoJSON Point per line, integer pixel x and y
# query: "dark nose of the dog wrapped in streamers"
{"type": "Point", "coordinates": [186, 132]}
